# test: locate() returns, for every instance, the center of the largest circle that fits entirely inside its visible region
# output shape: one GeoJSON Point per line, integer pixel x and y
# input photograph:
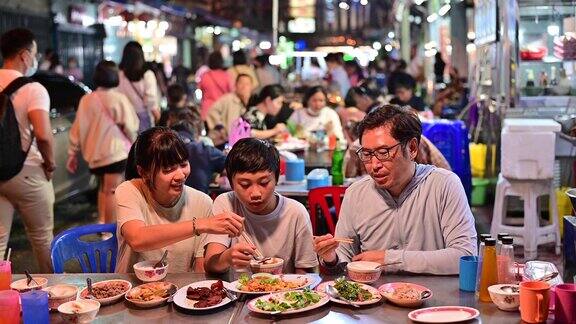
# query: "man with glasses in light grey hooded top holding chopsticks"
{"type": "Point", "coordinates": [407, 216]}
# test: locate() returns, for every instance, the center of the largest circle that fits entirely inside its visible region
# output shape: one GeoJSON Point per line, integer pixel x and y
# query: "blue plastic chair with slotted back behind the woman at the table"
{"type": "Point", "coordinates": [67, 245]}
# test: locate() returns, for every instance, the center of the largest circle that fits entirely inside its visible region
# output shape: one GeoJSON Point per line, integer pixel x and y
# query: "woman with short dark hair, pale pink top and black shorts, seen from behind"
{"type": "Point", "coordinates": [105, 127]}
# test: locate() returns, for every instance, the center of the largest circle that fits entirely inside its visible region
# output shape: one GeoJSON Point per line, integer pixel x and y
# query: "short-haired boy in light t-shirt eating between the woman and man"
{"type": "Point", "coordinates": [279, 226]}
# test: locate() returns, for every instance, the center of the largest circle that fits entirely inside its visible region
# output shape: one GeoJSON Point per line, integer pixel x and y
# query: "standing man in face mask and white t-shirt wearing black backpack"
{"type": "Point", "coordinates": [26, 147]}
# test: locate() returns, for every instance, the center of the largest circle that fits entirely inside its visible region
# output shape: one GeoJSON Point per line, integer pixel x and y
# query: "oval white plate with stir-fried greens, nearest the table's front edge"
{"type": "Point", "coordinates": [289, 302]}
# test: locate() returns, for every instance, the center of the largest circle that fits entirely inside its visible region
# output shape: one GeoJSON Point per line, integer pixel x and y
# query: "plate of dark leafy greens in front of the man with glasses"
{"type": "Point", "coordinates": [355, 292]}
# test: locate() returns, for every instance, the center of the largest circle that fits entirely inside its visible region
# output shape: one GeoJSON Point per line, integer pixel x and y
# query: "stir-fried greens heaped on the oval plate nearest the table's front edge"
{"type": "Point", "coordinates": [291, 300]}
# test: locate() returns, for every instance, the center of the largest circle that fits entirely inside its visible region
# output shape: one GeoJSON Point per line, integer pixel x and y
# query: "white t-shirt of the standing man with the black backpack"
{"type": "Point", "coordinates": [32, 96]}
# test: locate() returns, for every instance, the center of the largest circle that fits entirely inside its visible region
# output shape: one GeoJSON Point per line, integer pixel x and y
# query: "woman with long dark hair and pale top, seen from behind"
{"type": "Point", "coordinates": [139, 85]}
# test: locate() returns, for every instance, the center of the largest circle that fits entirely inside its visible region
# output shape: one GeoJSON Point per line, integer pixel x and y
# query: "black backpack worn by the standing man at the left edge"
{"type": "Point", "coordinates": [12, 156]}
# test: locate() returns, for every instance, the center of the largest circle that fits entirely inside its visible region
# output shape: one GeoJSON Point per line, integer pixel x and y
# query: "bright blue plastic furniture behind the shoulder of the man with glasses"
{"type": "Point", "coordinates": [451, 138]}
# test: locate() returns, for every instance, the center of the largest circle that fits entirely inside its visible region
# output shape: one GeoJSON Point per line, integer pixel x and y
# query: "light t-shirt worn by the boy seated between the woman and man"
{"type": "Point", "coordinates": [285, 233]}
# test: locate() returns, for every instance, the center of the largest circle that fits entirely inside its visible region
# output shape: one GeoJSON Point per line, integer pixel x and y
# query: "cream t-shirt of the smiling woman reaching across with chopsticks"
{"type": "Point", "coordinates": [134, 202]}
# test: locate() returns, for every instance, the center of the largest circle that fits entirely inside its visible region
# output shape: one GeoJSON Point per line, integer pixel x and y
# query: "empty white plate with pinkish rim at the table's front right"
{"type": "Point", "coordinates": [443, 314]}
